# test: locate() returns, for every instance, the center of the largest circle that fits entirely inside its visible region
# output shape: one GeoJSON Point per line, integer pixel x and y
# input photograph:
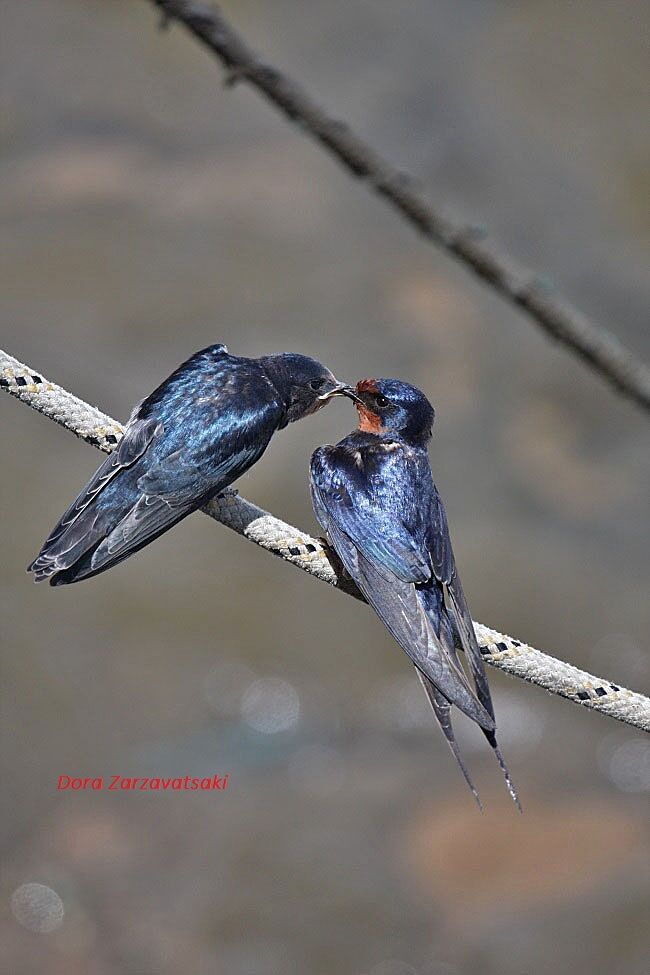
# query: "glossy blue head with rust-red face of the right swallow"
{"type": "Point", "coordinates": [391, 406]}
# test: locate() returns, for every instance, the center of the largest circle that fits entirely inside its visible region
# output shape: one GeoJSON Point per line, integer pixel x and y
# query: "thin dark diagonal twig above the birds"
{"type": "Point", "coordinates": [603, 352]}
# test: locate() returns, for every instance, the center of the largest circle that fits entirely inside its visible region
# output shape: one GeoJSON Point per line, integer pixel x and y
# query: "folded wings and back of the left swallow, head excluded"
{"type": "Point", "coordinates": [176, 454]}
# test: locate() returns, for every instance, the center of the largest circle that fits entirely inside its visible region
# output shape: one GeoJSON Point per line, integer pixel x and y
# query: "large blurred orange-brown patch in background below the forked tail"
{"type": "Point", "coordinates": [557, 850]}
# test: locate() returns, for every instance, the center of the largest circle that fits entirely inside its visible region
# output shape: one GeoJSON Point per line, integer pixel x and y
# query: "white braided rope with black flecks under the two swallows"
{"type": "Point", "coordinates": [288, 543]}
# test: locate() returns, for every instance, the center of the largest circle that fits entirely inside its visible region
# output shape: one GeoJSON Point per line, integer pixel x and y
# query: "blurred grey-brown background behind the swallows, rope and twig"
{"type": "Point", "coordinates": [147, 212]}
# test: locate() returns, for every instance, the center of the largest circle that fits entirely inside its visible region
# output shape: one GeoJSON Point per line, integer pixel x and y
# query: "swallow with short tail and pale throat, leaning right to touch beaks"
{"type": "Point", "coordinates": [203, 427]}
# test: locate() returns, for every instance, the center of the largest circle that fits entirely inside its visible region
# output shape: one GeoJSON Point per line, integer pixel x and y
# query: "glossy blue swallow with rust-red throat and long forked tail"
{"type": "Point", "coordinates": [374, 495]}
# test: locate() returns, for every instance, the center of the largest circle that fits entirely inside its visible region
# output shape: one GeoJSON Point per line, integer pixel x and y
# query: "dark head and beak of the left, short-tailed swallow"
{"type": "Point", "coordinates": [303, 383]}
